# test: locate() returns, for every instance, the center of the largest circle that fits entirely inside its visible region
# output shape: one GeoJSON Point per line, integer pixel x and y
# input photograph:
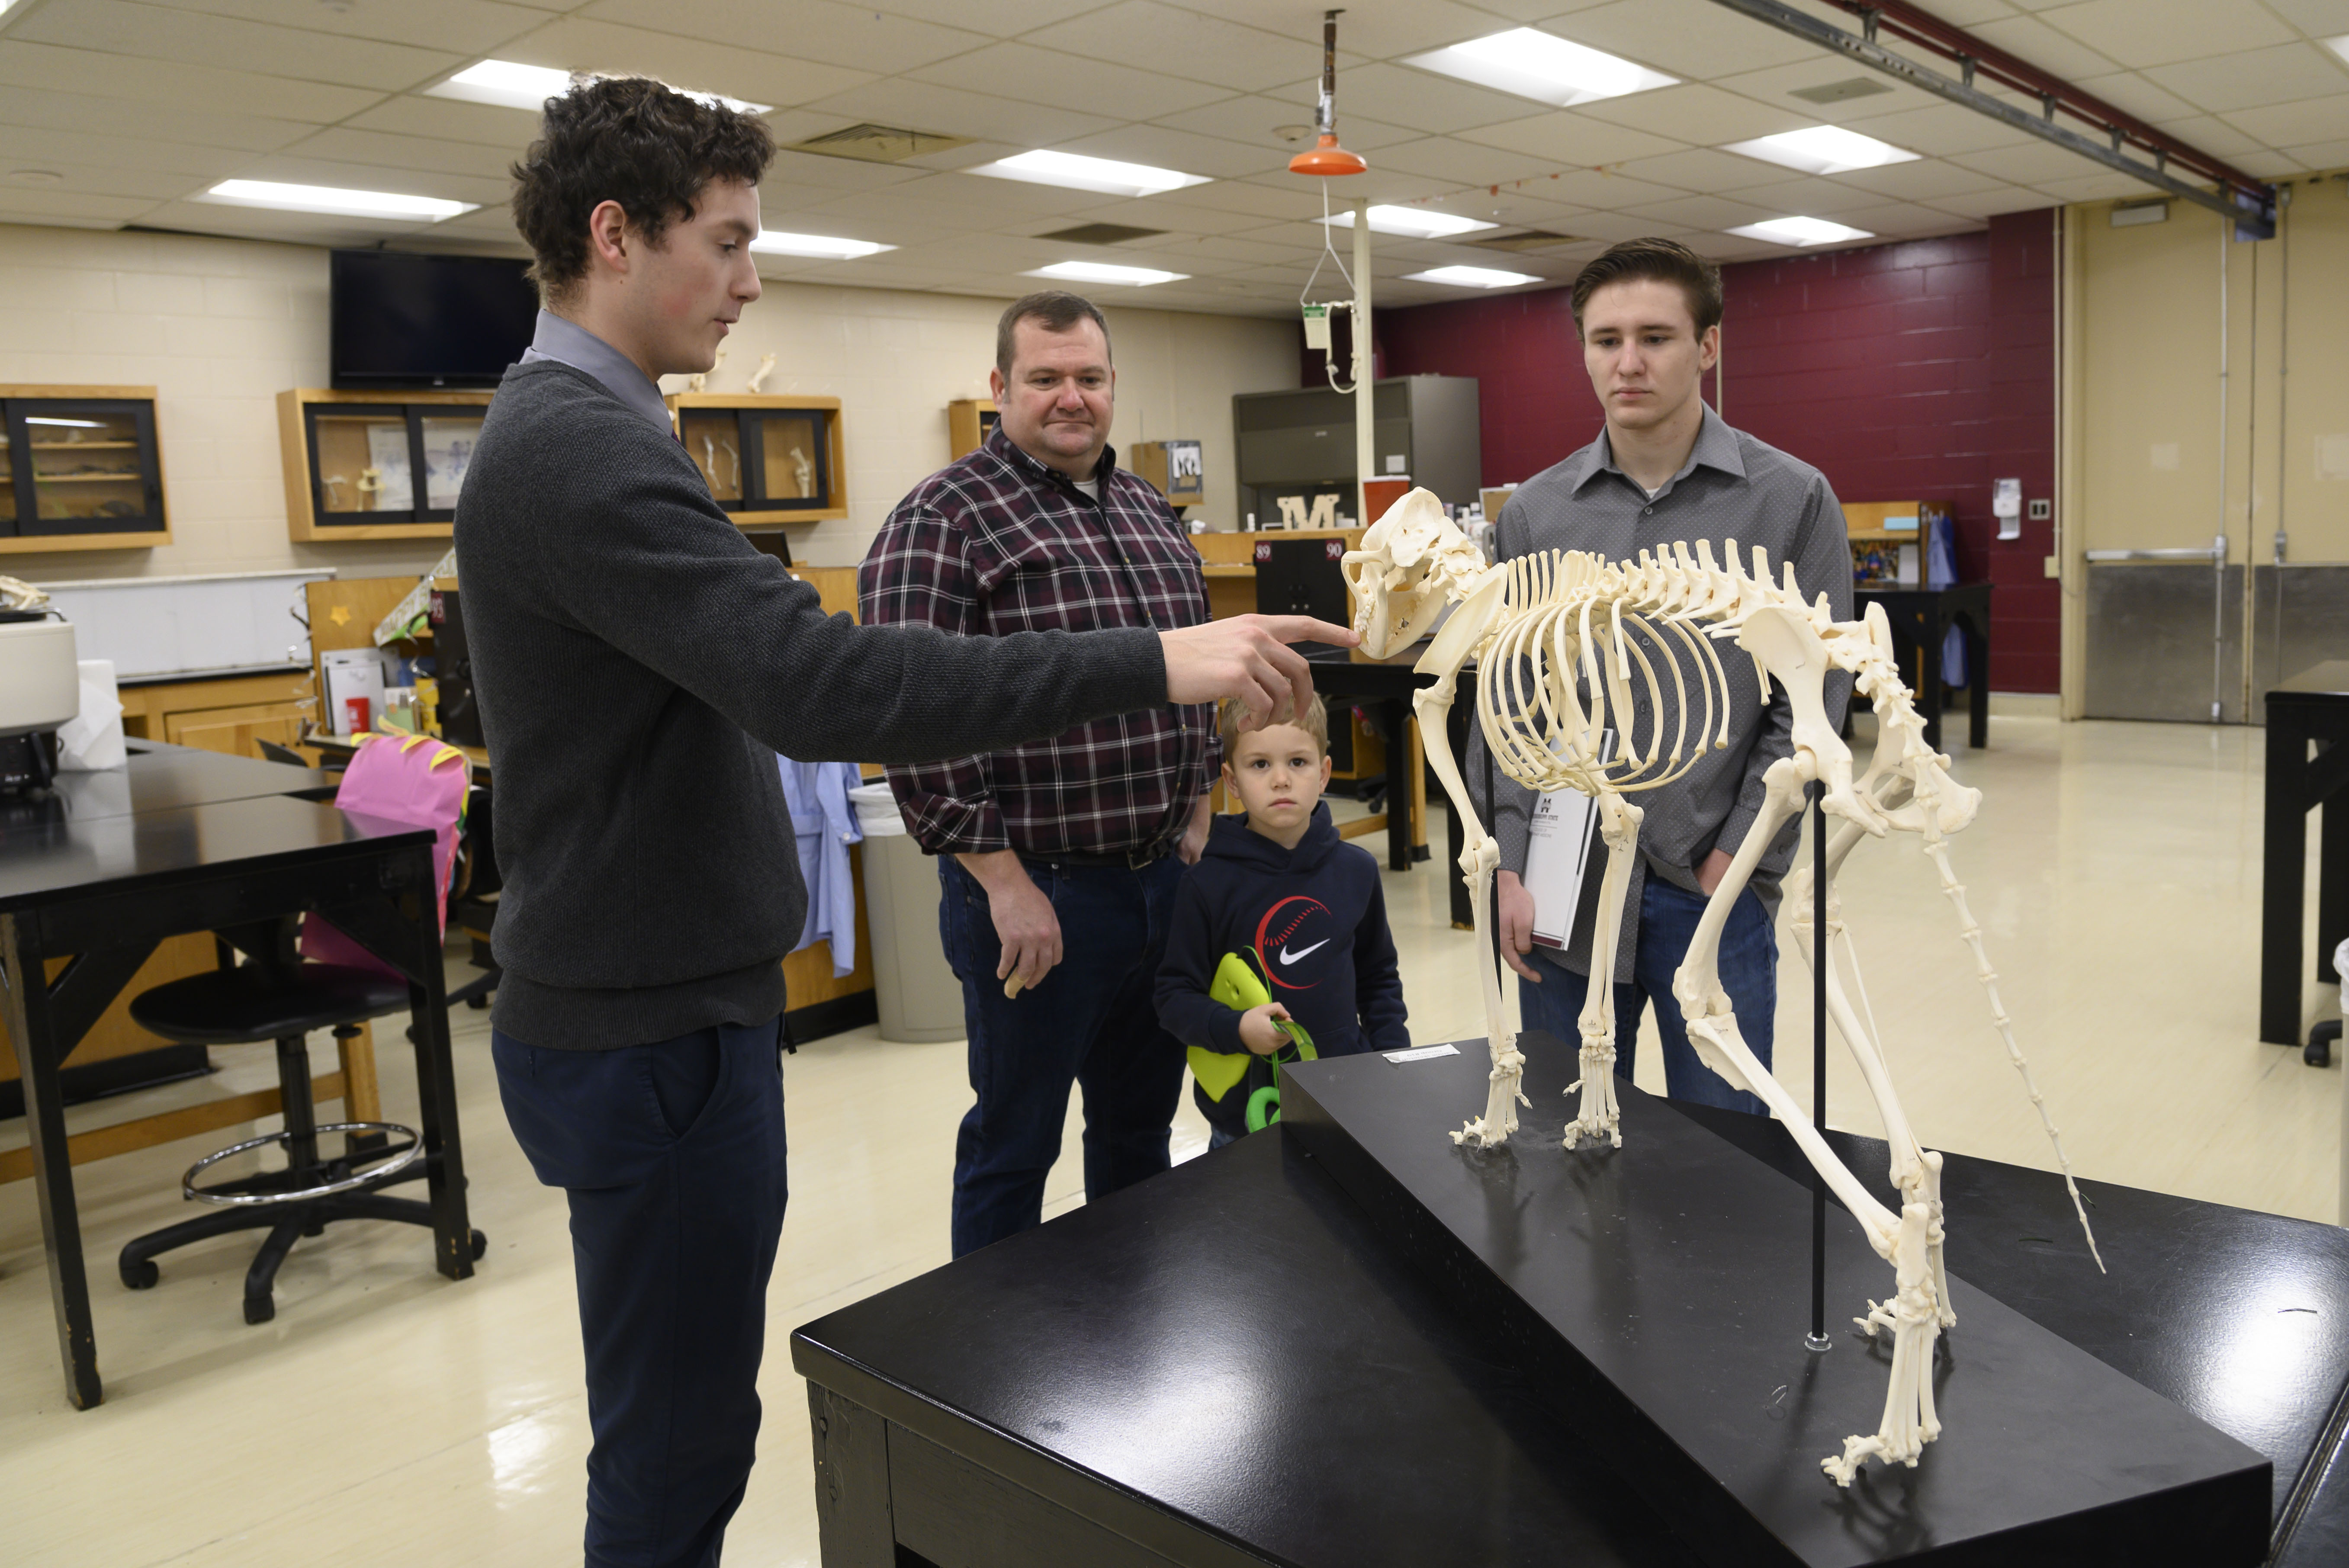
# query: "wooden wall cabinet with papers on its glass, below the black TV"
{"type": "Point", "coordinates": [377, 466]}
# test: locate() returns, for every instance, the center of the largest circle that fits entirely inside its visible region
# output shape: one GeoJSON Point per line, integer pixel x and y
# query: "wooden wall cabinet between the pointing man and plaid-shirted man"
{"type": "Point", "coordinates": [767, 459]}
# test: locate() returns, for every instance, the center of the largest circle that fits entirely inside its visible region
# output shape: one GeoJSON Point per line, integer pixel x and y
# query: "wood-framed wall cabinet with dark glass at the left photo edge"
{"type": "Point", "coordinates": [81, 468]}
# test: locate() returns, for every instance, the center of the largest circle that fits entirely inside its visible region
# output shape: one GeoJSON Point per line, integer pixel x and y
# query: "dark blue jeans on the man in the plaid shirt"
{"type": "Point", "coordinates": [1091, 1022]}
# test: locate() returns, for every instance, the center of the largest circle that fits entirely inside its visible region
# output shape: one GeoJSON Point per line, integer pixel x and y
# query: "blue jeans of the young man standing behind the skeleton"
{"type": "Point", "coordinates": [1667, 924]}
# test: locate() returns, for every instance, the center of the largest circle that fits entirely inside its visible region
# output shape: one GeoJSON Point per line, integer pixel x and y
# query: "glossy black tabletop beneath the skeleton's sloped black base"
{"type": "Point", "coordinates": [1234, 1351]}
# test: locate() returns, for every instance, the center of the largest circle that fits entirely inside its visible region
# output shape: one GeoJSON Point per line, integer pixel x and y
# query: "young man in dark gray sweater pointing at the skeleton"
{"type": "Point", "coordinates": [640, 665]}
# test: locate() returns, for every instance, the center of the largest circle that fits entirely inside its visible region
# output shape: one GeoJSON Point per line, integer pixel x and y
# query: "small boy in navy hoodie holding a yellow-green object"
{"type": "Point", "coordinates": [1279, 947]}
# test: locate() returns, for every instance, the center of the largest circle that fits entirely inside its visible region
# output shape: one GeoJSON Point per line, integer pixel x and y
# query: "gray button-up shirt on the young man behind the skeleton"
{"type": "Point", "coordinates": [1730, 489]}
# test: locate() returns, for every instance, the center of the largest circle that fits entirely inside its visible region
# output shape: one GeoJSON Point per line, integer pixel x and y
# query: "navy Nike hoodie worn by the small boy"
{"type": "Point", "coordinates": [1310, 921]}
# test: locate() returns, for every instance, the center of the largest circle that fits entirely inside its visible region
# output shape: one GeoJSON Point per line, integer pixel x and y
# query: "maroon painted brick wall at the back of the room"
{"type": "Point", "coordinates": [1906, 372]}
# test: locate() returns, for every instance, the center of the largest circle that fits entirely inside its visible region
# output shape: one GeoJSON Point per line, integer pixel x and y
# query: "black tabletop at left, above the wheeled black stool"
{"type": "Point", "coordinates": [48, 856]}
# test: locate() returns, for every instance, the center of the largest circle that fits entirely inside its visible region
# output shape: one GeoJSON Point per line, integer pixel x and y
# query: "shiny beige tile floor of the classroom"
{"type": "Point", "coordinates": [389, 1417]}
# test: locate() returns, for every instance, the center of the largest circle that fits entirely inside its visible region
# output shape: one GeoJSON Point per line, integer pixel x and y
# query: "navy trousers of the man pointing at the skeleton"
{"type": "Point", "coordinates": [673, 1161]}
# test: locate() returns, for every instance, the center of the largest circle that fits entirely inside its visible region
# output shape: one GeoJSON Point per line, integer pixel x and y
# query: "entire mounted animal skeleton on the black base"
{"type": "Point", "coordinates": [1561, 644]}
